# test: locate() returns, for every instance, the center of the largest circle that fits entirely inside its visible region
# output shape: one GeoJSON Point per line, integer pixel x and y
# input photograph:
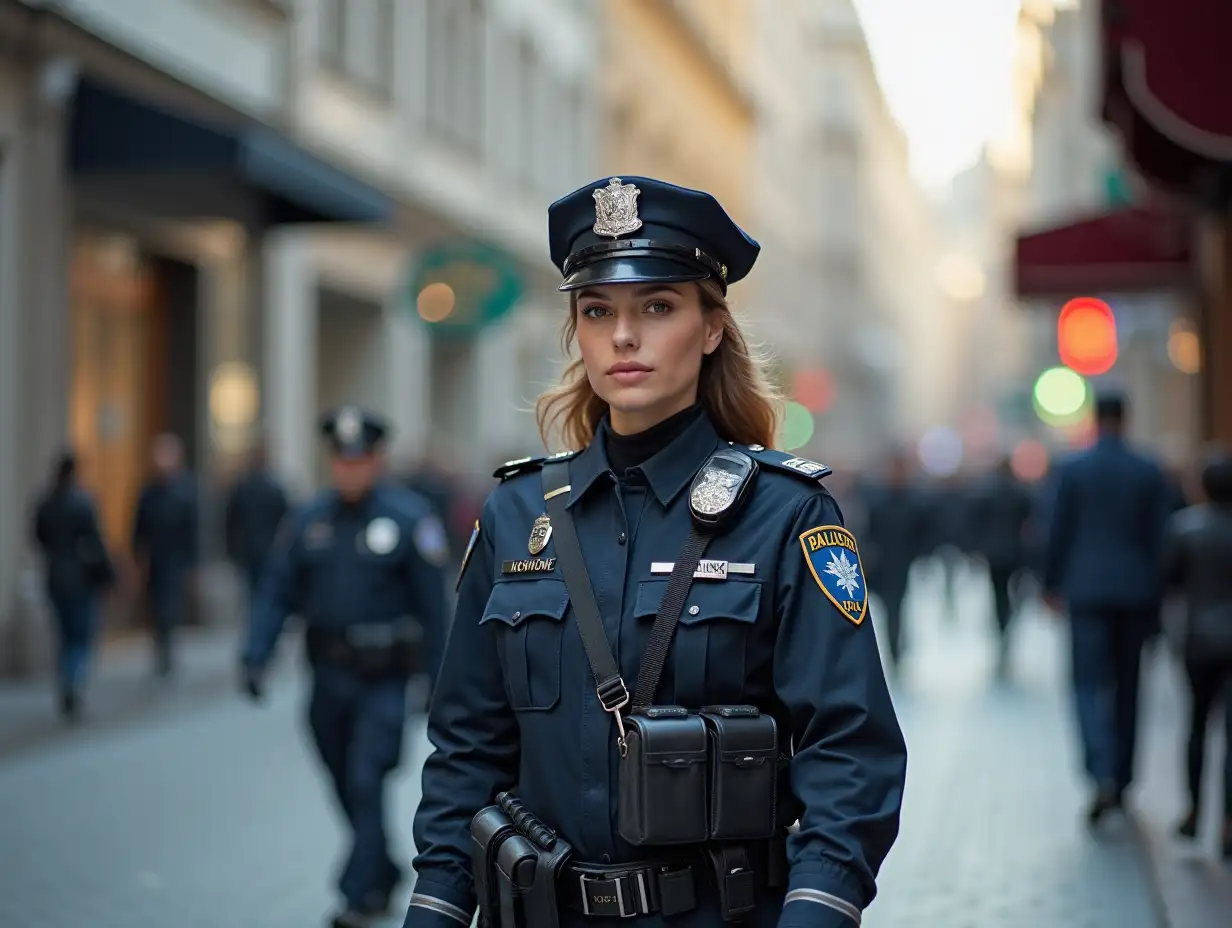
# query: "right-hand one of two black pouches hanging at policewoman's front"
{"type": "Point", "coordinates": [744, 773]}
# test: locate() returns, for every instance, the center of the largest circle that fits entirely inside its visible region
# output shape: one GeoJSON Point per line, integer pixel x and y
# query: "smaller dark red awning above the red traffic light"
{"type": "Point", "coordinates": [1129, 251]}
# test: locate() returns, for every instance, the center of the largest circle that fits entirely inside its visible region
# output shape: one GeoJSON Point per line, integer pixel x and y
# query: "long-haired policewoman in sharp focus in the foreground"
{"type": "Point", "coordinates": [662, 698]}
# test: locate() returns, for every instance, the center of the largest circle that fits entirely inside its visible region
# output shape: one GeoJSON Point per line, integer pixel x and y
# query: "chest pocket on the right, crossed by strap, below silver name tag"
{"type": "Point", "coordinates": [711, 640]}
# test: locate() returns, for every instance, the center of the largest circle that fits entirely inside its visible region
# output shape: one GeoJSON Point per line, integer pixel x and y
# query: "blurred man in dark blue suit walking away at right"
{"type": "Point", "coordinates": [1108, 521]}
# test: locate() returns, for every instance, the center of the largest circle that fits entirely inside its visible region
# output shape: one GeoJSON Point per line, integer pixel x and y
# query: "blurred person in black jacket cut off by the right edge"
{"type": "Point", "coordinates": [1198, 563]}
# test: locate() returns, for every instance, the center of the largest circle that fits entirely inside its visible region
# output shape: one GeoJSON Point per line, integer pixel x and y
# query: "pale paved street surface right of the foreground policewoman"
{"type": "Point", "coordinates": [994, 834]}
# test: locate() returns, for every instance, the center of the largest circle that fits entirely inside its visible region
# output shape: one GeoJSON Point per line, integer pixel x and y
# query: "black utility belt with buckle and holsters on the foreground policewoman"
{"type": "Point", "coordinates": [525, 873]}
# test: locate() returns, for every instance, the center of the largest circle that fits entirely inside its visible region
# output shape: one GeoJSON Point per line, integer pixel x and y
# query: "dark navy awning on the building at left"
{"type": "Point", "coordinates": [119, 136]}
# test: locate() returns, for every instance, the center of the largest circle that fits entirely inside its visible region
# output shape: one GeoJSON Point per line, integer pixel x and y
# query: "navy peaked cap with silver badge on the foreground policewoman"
{"type": "Point", "coordinates": [640, 230]}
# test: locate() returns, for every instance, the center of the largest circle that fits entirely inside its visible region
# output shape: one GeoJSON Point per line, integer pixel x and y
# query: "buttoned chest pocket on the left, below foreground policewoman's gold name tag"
{"type": "Point", "coordinates": [528, 618]}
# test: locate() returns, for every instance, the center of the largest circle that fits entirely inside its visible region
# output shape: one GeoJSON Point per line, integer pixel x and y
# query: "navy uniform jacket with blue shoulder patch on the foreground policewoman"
{"type": "Point", "coordinates": [516, 706]}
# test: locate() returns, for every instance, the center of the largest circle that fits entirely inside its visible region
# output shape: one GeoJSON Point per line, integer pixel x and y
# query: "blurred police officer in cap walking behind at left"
{"type": "Point", "coordinates": [362, 565]}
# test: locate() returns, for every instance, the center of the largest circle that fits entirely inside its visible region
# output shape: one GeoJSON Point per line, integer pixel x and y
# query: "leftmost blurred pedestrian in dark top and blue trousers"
{"type": "Point", "coordinates": [78, 571]}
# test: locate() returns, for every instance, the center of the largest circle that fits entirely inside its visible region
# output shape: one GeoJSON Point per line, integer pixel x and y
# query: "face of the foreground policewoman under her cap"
{"type": "Point", "coordinates": [642, 346]}
